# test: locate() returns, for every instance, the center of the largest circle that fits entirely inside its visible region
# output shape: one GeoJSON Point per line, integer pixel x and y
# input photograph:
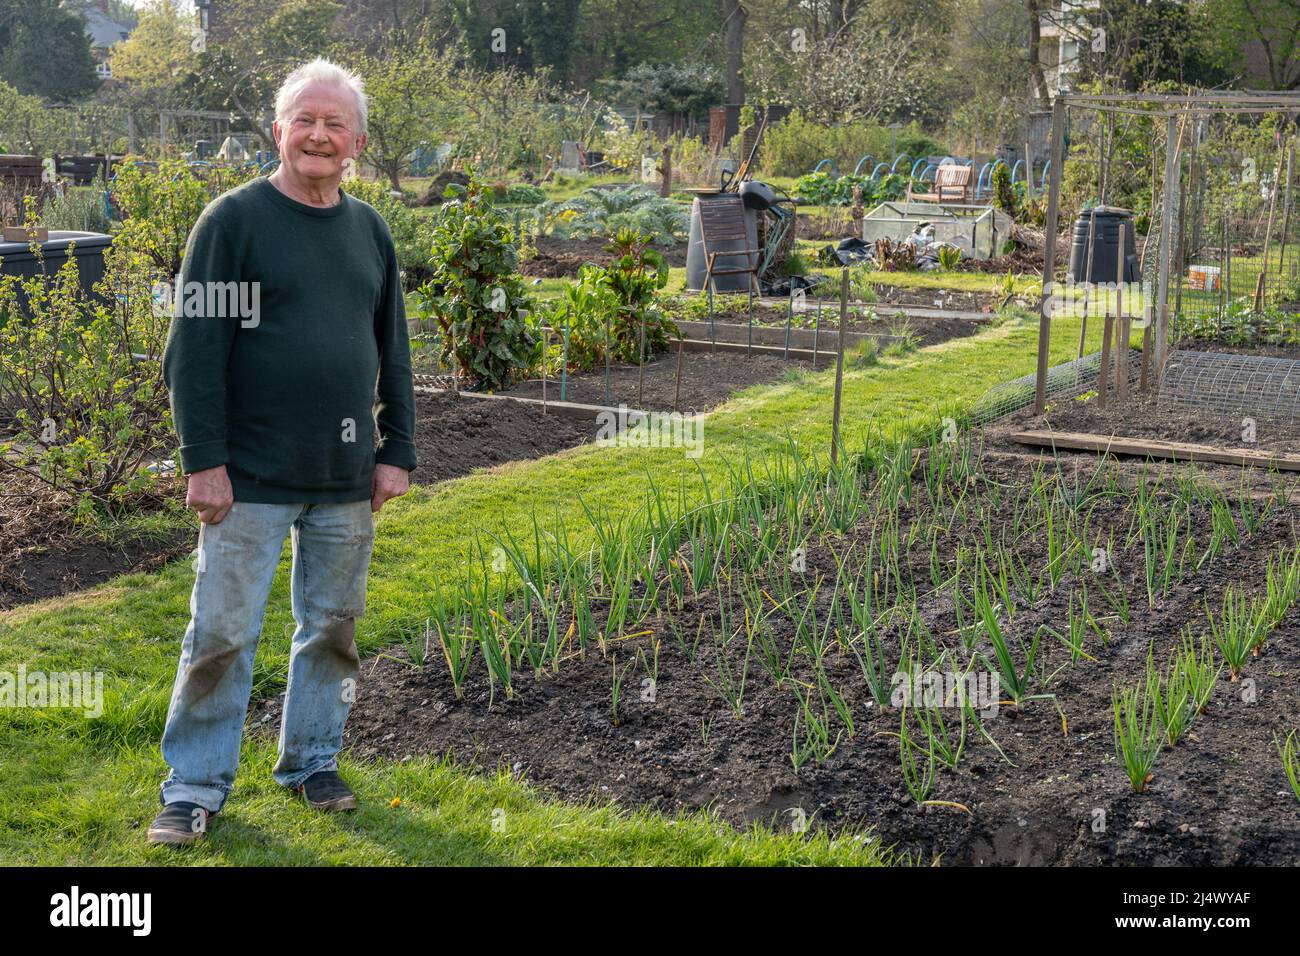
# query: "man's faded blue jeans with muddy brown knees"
{"type": "Point", "coordinates": [236, 566]}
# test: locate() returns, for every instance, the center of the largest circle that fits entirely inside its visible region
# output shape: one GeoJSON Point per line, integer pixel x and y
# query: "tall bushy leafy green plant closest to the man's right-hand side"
{"type": "Point", "coordinates": [474, 292]}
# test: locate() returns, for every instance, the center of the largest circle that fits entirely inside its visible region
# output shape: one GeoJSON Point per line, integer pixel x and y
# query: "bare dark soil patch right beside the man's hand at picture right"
{"type": "Point", "coordinates": [454, 436]}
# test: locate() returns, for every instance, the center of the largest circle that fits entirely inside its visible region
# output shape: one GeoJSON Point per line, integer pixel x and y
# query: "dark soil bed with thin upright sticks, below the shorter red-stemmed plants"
{"type": "Point", "coordinates": [708, 380]}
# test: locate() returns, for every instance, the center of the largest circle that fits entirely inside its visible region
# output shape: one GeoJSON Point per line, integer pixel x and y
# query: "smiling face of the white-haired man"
{"type": "Point", "coordinates": [318, 135]}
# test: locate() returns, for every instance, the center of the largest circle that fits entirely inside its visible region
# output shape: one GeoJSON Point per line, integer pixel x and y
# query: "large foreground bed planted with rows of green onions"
{"type": "Point", "coordinates": [1038, 782]}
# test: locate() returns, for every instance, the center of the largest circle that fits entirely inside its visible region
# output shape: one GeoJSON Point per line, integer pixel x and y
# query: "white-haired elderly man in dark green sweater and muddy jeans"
{"type": "Point", "coordinates": [276, 413]}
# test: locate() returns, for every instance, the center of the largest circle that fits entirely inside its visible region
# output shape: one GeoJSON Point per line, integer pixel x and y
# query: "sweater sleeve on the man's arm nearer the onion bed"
{"type": "Point", "coordinates": [396, 387]}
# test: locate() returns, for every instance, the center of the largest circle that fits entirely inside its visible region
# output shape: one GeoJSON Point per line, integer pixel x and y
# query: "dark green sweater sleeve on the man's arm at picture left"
{"type": "Point", "coordinates": [198, 348]}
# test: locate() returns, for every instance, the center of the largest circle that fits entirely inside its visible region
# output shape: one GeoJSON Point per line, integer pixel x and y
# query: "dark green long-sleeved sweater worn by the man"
{"type": "Point", "coordinates": [285, 395]}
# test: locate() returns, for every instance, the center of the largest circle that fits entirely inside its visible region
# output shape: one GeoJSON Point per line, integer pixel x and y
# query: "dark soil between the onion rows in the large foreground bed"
{"type": "Point", "coordinates": [1059, 797]}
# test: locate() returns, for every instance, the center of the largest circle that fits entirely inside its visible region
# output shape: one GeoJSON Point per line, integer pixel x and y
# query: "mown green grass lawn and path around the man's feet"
{"type": "Point", "coordinates": [84, 790]}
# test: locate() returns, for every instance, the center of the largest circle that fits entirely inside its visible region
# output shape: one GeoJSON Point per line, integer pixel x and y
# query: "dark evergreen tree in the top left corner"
{"type": "Point", "coordinates": [45, 51]}
